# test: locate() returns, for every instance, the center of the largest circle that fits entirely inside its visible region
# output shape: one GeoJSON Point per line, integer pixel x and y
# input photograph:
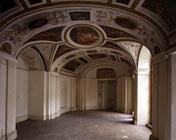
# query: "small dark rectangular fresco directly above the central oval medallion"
{"type": "Point", "coordinates": [79, 15]}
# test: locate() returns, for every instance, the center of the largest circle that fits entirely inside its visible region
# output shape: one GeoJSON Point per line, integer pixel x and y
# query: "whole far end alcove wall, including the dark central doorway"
{"type": "Point", "coordinates": [94, 82]}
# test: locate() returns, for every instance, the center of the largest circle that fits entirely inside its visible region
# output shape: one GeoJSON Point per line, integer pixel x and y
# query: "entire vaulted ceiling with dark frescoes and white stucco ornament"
{"type": "Point", "coordinates": [72, 33]}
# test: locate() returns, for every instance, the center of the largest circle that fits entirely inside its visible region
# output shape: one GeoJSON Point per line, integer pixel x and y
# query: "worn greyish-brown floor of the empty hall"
{"type": "Point", "coordinates": [83, 125]}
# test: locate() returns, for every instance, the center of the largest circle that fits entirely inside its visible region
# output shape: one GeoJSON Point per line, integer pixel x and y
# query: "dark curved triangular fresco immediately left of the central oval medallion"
{"type": "Point", "coordinates": [49, 35]}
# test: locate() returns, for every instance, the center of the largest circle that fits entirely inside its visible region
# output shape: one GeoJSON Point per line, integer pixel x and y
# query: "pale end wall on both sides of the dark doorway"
{"type": "Point", "coordinates": [87, 89]}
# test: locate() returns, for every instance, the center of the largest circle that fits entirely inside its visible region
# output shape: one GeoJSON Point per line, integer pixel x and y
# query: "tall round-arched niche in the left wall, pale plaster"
{"type": "Point", "coordinates": [29, 85]}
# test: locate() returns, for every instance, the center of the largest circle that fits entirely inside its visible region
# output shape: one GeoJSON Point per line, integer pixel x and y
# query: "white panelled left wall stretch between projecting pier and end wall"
{"type": "Point", "coordinates": [62, 94]}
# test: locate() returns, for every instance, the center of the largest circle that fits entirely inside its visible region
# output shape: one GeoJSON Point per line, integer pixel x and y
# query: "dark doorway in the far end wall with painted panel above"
{"type": "Point", "coordinates": [107, 89]}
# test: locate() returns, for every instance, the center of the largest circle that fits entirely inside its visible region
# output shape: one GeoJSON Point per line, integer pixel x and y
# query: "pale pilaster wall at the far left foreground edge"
{"type": "Point", "coordinates": [7, 97]}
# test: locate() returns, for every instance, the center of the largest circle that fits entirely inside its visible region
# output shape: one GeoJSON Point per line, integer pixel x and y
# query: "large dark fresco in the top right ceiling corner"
{"type": "Point", "coordinates": [166, 9]}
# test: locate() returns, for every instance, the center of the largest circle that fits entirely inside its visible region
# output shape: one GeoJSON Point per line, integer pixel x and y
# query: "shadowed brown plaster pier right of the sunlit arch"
{"type": "Point", "coordinates": [161, 109]}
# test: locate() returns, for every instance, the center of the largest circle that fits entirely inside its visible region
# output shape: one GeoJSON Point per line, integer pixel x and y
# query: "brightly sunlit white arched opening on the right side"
{"type": "Point", "coordinates": [143, 88]}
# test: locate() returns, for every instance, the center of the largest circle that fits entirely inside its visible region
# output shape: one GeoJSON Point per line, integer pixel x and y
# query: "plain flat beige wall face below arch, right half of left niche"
{"type": "Point", "coordinates": [37, 95]}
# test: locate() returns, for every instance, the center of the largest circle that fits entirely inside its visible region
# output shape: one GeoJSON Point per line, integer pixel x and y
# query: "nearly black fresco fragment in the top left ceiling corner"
{"type": "Point", "coordinates": [6, 5]}
